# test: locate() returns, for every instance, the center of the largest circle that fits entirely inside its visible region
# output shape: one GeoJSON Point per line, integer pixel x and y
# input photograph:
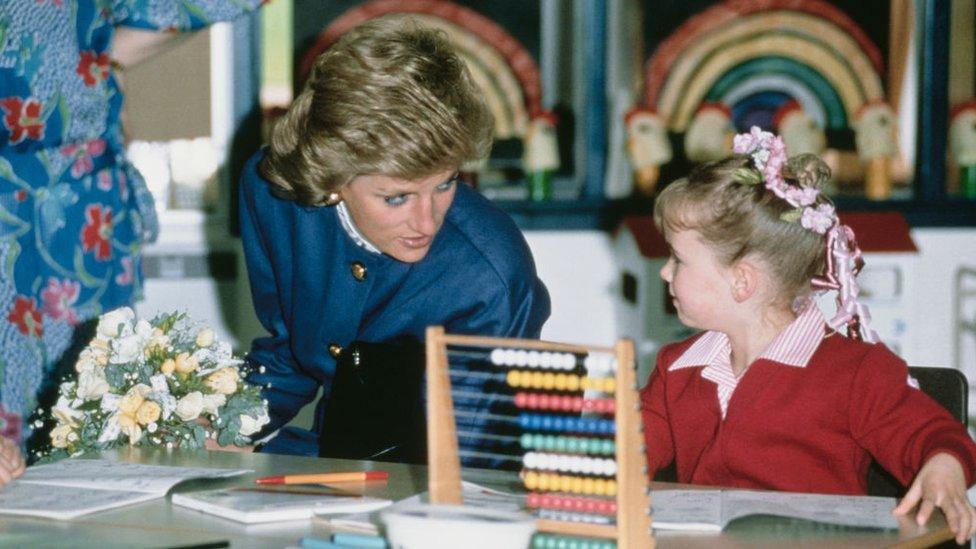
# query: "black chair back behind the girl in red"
{"type": "Point", "coordinates": [950, 389]}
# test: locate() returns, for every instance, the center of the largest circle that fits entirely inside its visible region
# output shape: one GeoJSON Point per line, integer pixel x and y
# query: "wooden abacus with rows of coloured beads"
{"type": "Point", "coordinates": [558, 378]}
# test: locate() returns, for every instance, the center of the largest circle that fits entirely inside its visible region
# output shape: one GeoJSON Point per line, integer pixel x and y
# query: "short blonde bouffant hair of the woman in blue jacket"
{"type": "Point", "coordinates": [391, 98]}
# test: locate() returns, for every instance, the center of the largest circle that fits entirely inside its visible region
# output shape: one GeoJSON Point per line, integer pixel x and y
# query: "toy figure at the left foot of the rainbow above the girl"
{"type": "Point", "coordinates": [648, 148]}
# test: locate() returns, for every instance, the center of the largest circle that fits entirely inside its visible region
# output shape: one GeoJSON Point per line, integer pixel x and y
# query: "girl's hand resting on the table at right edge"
{"type": "Point", "coordinates": [941, 483]}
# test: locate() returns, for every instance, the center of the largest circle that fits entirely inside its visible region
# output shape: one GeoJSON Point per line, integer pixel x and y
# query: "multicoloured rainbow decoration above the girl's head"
{"type": "Point", "coordinates": [754, 55]}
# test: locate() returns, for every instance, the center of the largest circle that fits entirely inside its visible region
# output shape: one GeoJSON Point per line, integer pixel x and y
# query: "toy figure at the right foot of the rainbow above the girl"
{"type": "Point", "coordinates": [876, 138]}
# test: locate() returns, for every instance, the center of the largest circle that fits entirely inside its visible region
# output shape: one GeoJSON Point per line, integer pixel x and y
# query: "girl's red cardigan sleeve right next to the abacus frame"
{"type": "Point", "coordinates": [658, 442]}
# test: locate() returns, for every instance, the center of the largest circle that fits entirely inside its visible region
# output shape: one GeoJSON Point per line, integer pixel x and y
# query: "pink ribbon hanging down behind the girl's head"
{"type": "Point", "coordinates": [844, 261]}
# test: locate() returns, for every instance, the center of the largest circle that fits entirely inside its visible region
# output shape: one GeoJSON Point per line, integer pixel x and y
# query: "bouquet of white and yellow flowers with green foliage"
{"type": "Point", "coordinates": [164, 382]}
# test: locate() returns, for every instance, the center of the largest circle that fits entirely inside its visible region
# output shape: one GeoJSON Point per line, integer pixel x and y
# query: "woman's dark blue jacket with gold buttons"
{"type": "Point", "coordinates": [478, 278]}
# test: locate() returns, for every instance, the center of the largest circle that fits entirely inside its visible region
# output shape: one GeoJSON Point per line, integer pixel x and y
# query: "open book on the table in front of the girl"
{"type": "Point", "coordinates": [713, 509]}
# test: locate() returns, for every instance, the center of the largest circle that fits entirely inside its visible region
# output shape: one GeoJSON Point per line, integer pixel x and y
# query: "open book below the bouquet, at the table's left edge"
{"type": "Point", "coordinates": [73, 487]}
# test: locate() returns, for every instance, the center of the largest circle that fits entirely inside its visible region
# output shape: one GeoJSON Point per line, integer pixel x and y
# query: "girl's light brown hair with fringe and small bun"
{"type": "Point", "coordinates": [738, 219]}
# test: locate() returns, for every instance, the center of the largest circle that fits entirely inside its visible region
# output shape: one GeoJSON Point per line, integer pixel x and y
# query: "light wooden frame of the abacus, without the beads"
{"type": "Point", "coordinates": [633, 528]}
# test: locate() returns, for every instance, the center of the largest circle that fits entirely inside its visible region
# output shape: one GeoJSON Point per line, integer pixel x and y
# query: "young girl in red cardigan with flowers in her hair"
{"type": "Point", "coordinates": [771, 396]}
